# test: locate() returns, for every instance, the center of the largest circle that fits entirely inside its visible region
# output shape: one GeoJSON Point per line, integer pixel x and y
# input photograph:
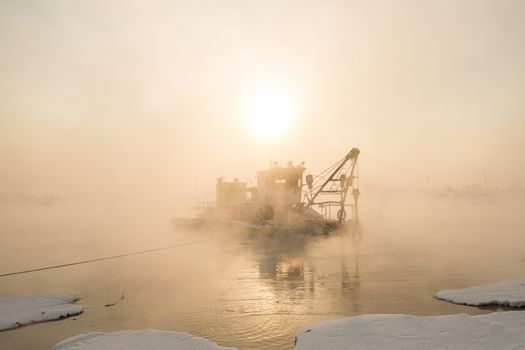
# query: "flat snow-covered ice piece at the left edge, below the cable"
{"type": "Point", "coordinates": [19, 311]}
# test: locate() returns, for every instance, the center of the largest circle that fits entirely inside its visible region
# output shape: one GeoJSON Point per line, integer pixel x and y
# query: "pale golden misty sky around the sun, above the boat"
{"type": "Point", "coordinates": [120, 96]}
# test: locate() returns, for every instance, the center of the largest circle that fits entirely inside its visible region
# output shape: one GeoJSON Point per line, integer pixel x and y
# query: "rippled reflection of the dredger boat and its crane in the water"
{"type": "Point", "coordinates": [314, 274]}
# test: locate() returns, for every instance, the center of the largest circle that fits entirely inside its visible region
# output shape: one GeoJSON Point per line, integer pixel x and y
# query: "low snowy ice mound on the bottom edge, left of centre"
{"type": "Point", "coordinates": [137, 340]}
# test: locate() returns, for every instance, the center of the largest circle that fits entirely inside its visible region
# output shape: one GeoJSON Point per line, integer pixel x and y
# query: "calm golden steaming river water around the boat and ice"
{"type": "Point", "coordinates": [246, 290]}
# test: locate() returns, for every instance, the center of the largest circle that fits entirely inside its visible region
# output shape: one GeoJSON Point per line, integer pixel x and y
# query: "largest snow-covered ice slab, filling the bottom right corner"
{"type": "Point", "coordinates": [500, 330]}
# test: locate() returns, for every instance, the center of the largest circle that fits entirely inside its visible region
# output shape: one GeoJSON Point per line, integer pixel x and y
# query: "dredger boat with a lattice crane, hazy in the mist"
{"type": "Point", "coordinates": [285, 201]}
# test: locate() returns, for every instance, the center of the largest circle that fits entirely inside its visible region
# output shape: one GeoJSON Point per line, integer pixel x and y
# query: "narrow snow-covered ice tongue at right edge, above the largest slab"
{"type": "Point", "coordinates": [505, 294]}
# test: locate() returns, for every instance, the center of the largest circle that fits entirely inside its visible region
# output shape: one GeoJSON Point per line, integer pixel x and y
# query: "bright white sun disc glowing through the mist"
{"type": "Point", "coordinates": [268, 112]}
